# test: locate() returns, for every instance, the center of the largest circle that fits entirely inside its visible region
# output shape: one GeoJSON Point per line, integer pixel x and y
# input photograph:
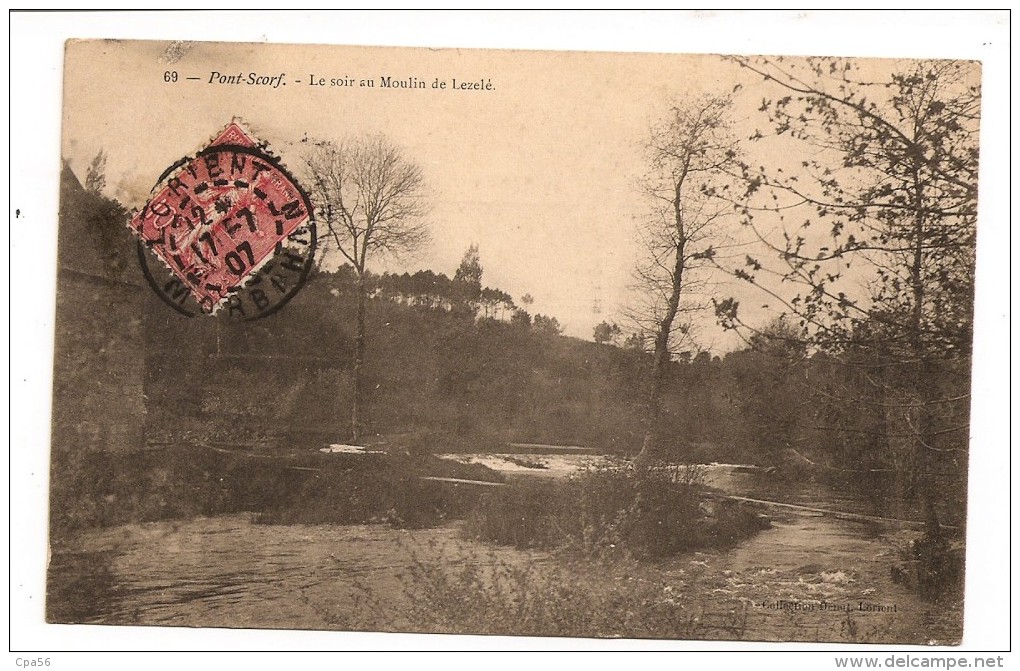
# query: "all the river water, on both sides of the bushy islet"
{"type": "Point", "coordinates": [809, 578]}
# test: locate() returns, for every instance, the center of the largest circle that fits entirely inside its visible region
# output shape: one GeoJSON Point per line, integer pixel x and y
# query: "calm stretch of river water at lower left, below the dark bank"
{"type": "Point", "coordinates": [225, 572]}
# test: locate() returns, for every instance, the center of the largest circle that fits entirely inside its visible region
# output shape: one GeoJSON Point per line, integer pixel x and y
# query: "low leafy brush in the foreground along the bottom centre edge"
{"type": "Point", "coordinates": [450, 591]}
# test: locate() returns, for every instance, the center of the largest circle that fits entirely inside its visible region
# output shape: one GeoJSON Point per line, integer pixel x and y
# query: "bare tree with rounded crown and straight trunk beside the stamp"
{"type": "Point", "coordinates": [372, 201]}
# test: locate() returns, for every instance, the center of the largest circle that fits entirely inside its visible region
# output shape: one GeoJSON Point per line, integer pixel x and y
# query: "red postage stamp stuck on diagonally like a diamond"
{"type": "Point", "coordinates": [222, 217]}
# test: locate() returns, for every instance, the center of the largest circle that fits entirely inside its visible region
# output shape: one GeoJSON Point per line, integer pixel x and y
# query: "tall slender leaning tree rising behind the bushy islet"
{"type": "Point", "coordinates": [688, 152]}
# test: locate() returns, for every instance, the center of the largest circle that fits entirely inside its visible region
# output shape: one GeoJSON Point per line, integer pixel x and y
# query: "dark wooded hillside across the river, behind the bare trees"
{"type": "Point", "coordinates": [441, 370]}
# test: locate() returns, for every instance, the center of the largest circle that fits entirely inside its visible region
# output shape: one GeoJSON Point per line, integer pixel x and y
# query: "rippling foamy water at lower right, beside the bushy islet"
{"type": "Point", "coordinates": [814, 578]}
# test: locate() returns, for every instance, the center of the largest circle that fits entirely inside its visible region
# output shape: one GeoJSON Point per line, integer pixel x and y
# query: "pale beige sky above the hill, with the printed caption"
{"type": "Point", "coordinates": [541, 173]}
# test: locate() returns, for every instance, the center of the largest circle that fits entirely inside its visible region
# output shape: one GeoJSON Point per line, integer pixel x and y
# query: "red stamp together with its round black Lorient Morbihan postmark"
{"type": "Point", "coordinates": [227, 232]}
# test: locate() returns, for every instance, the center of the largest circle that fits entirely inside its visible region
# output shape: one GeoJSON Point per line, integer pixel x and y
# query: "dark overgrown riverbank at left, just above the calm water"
{"type": "Point", "coordinates": [108, 489]}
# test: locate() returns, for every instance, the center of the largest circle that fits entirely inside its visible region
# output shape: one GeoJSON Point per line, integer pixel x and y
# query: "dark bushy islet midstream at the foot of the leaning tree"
{"type": "Point", "coordinates": [613, 512]}
